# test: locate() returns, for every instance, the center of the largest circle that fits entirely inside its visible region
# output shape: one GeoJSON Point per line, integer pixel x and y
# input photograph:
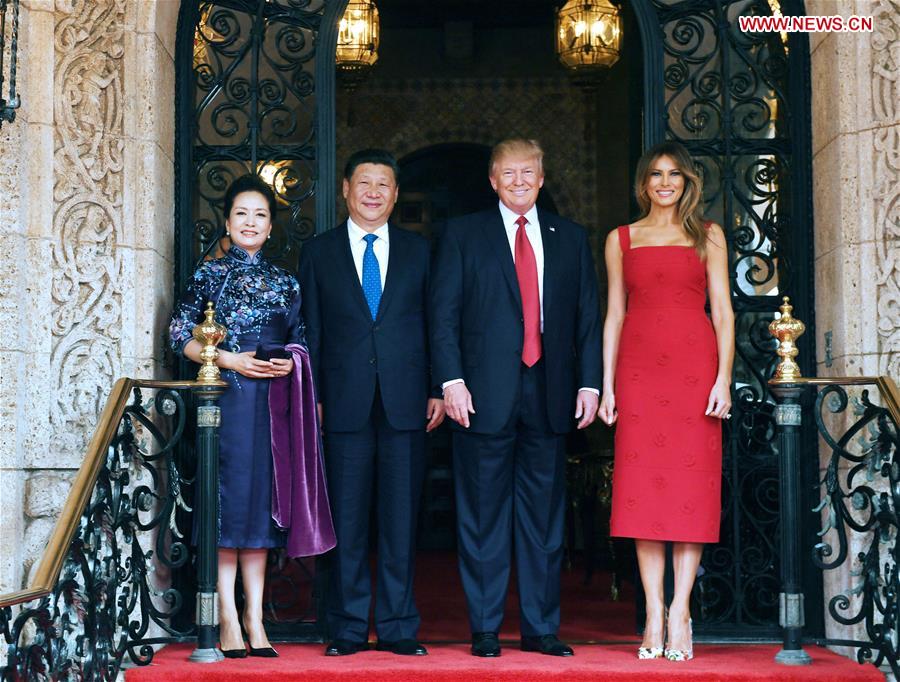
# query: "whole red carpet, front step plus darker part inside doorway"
{"type": "Point", "coordinates": [588, 615]}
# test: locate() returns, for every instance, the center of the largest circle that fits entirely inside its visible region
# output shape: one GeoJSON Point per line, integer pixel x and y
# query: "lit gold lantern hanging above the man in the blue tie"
{"type": "Point", "coordinates": [357, 46]}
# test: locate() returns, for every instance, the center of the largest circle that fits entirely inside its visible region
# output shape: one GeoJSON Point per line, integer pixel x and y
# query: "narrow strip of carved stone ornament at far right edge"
{"type": "Point", "coordinates": [885, 42]}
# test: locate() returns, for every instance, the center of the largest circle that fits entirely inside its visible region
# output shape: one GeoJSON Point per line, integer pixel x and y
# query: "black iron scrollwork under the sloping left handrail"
{"type": "Point", "coordinates": [112, 604]}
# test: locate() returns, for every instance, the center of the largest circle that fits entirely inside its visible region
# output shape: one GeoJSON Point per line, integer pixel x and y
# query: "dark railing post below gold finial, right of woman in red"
{"type": "Point", "coordinates": [791, 608]}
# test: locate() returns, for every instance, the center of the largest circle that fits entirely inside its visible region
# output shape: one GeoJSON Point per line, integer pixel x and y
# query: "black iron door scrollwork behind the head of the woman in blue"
{"type": "Point", "coordinates": [254, 112]}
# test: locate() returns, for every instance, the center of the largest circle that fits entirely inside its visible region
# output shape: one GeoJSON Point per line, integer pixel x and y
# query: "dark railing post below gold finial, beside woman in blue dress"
{"type": "Point", "coordinates": [207, 506]}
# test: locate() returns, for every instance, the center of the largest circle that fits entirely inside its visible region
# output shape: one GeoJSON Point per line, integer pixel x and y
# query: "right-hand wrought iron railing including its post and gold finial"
{"type": "Point", "coordinates": [858, 421]}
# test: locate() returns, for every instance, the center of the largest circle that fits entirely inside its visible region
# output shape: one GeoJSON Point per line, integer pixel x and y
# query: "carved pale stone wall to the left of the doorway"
{"type": "Point", "coordinates": [87, 184]}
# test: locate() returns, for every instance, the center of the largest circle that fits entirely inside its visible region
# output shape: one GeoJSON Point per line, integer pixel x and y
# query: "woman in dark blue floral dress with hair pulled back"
{"type": "Point", "coordinates": [259, 304]}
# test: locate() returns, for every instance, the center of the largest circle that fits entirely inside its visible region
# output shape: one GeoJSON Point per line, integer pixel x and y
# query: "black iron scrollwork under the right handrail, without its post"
{"type": "Point", "coordinates": [859, 508]}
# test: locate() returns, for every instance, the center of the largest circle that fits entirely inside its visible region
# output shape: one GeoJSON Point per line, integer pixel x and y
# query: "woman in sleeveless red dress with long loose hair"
{"type": "Point", "coordinates": [667, 378]}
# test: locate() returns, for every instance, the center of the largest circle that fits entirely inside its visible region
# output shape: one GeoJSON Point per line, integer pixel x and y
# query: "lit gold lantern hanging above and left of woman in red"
{"type": "Point", "coordinates": [588, 39]}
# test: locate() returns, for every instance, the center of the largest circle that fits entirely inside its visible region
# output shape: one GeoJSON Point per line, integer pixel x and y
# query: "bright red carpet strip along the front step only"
{"type": "Point", "coordinates": [452, 663]}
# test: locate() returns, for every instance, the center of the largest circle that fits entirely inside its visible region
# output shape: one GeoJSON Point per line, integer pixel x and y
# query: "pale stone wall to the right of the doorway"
{"type": "Point", "coordinates": [856, 190]}
